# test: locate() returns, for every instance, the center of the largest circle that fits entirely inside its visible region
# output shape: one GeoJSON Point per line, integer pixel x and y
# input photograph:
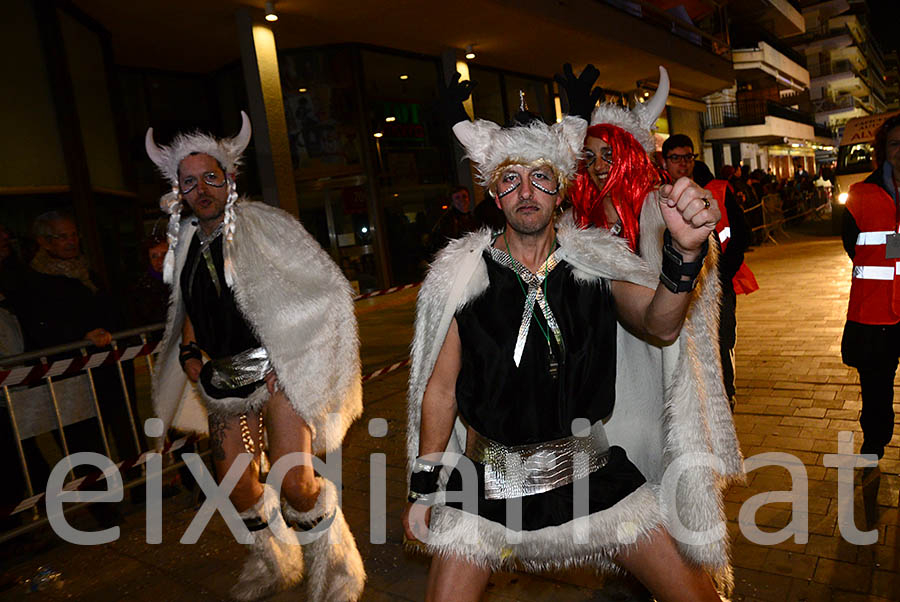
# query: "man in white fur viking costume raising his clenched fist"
{"type": "Point", "coordinates": [535, 438]}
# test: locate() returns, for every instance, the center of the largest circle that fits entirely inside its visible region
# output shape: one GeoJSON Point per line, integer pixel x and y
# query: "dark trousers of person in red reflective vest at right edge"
{"type": "Point", "coordinates": [877, 416]}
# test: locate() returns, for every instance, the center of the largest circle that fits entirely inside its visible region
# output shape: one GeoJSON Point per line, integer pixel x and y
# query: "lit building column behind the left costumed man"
{"type": "Point", "coordinates": [259, 60]}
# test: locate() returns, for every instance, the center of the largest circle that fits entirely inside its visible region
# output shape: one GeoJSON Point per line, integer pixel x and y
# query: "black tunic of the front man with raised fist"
{"type": "Point", "coordinates": [525, 404]}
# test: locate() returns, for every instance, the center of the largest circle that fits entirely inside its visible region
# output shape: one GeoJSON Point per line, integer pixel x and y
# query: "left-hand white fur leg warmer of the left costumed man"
{"type": "Point", "coordinates": [275, 562]}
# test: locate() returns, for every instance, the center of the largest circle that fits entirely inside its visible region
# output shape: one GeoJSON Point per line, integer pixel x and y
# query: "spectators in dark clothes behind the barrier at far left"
{"type": "Point", "coordinates": [50, 297]}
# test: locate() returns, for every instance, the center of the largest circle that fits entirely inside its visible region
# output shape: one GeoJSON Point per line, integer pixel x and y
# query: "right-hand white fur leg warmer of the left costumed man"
{"type": "Point", "coordinates": [335, 570]}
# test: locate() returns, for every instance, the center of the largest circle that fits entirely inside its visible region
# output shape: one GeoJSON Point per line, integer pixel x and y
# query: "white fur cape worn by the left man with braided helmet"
{"type": "Point", "coordinates": [300, 307]}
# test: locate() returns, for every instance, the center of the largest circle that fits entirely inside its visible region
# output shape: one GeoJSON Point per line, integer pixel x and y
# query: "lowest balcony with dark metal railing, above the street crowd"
{"type": "Point", "coordinates": [759, 121]}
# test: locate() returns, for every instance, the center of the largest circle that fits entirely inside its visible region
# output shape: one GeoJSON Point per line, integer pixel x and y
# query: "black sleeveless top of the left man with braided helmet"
{"type": "Point", "coordinates": [219, 326]}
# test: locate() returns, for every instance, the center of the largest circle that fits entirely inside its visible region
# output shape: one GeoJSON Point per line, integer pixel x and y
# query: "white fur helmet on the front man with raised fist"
{"type": "Point", "coordinates": [491, 147]}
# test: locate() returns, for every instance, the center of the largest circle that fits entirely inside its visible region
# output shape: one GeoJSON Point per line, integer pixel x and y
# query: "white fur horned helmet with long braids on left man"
{"type": "Point", "coordinates": [228, 152]}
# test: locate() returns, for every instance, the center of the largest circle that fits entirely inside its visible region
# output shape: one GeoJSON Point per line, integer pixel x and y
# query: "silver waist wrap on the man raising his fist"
{"type": "Point", "coordinates": [520, 470]}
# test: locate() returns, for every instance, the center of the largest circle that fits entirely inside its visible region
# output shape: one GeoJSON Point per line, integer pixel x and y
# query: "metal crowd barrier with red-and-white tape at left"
{"type": "Point", "coordinates": [49, 390]}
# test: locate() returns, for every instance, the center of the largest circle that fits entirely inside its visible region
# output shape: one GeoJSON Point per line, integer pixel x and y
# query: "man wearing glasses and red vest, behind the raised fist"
{"type": "Point", "coordinates": [734, 238]}
